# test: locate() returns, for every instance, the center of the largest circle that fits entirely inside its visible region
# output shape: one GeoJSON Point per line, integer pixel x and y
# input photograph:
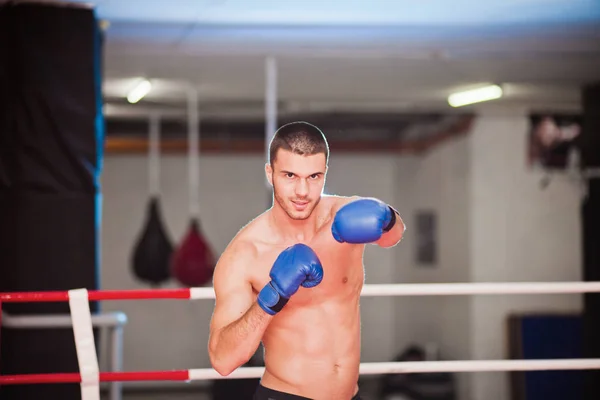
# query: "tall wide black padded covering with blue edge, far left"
{"type": "Point", "coordinates": [51, 140]}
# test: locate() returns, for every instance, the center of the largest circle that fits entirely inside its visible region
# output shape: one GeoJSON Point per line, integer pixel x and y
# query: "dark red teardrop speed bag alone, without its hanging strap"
{"type": "Point", "coordinates": [194, 262]}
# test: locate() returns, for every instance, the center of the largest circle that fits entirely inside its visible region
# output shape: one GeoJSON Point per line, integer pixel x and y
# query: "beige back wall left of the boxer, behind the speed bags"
{"type": "Point", "coordinates": [164, 334]}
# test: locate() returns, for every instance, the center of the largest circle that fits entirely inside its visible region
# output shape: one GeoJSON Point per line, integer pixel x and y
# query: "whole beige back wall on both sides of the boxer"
{"type": "Point", "coordinates": [495, 224]}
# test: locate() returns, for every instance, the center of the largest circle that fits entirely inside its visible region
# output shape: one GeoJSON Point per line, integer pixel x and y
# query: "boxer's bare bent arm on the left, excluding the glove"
{"type": "Point", "coordinates": [238, 322]}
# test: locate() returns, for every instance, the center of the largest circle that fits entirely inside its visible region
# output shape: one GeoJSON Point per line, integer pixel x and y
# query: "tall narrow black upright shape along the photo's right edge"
{"type": "Point", "coordinates": [590, 159]}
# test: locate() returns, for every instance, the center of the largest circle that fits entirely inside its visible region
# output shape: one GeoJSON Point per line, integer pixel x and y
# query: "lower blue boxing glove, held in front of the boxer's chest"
{"type": "Point", "coordinates": [296, 266]}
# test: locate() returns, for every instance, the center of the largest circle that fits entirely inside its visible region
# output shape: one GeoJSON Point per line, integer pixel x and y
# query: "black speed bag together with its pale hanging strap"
{"type": "Point", "coordinates": [153, 249]}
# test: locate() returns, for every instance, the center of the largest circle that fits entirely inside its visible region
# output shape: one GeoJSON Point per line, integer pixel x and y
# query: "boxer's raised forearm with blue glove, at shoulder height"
{"type": "Point", "coordinates": [367, 220]}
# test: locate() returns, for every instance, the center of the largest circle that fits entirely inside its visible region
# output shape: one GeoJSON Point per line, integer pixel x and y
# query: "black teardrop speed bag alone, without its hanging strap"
{"type": "Point", "coordinates": [153, 250]}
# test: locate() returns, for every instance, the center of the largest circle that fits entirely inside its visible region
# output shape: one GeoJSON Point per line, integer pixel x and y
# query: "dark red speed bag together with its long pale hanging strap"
{"type": "Point", "coordinates": [193, 262]}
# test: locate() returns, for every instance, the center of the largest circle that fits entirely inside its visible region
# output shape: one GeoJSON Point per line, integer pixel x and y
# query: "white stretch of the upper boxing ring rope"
{"type": "Point", "coordinates": [446, 289]}
